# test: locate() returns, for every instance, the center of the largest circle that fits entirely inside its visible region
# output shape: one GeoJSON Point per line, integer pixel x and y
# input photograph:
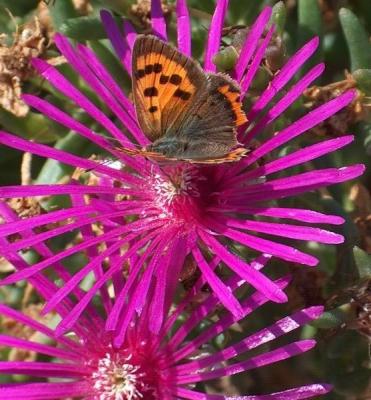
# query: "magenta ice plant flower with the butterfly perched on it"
{"type": "Point", "coordinates": [145, 207]}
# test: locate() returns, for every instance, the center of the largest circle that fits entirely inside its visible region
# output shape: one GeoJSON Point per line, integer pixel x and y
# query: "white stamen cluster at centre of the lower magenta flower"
{"type": "Point", "coordinates": [117, 379]}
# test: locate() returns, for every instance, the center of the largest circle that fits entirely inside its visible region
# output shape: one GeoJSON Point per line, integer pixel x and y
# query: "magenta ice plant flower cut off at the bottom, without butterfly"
{"type": "Point", "coordinates": [91, 363]}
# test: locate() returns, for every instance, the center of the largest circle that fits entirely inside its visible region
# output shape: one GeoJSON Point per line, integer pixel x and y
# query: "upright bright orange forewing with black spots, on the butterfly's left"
{"type": "Point", "coordinates": [165, 84]}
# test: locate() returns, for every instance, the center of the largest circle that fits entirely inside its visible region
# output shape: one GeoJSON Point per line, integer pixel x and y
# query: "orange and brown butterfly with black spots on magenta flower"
{"type": "Point", "coordinates": [187, 114]}
